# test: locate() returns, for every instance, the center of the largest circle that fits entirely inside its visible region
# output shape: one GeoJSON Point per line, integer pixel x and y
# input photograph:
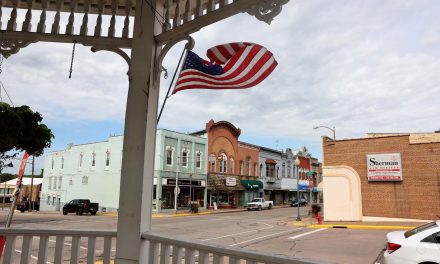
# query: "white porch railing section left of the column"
{"type": "Point", "coordinates": [65, 241]}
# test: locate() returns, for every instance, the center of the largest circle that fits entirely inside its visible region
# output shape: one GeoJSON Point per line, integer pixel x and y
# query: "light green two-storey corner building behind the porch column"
{"type": "Point", "coordinates": [93, 171]}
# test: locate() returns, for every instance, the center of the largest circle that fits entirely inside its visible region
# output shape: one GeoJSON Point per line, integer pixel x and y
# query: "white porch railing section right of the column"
{"type": "Point", "coordinates": [166, 250]}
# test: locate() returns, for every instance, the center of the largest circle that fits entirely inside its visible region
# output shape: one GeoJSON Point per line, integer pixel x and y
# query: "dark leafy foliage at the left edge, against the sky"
{"type": "Point", "coordinates": [21, 130]}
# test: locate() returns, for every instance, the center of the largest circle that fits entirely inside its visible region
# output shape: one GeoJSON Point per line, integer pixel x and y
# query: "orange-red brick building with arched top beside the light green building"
{"type": "Point", "coordinates": [233, 166]}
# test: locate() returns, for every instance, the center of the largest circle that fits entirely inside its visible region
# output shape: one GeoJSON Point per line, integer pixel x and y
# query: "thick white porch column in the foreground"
{"type": "Point", "coordinates": [139, 143]}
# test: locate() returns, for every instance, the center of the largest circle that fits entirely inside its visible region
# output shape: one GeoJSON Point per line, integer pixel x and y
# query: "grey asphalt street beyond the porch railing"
{"type": "Point", "coordinates": [265, 231]}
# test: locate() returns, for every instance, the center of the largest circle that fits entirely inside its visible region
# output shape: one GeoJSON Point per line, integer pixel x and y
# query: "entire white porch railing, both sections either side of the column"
{"type": "Point", "coordinates": [163, 250]}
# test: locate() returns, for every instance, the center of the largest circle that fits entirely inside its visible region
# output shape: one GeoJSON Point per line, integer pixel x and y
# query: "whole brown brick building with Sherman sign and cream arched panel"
{"type": "Point", "coordinates": [350, 195]}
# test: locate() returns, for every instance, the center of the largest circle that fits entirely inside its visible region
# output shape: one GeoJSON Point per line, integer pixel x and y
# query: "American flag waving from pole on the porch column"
{"type": "Point", "coordinates": [245, 65]}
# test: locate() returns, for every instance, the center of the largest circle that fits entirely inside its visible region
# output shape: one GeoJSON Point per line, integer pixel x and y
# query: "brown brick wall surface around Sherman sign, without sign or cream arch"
{"type": "Point", "coordinates": [416, 197]}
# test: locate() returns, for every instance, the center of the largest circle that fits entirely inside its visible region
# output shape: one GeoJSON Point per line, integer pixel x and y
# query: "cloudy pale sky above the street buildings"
{"type": "Point", "coordinates": [358, 66]}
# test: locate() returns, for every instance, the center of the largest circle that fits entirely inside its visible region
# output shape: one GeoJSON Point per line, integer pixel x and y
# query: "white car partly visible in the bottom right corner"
{"type": "Point", "coordinates": [420, 245]}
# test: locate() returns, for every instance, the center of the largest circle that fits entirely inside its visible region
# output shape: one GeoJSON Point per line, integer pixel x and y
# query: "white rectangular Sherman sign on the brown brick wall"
{"type": "Point", "coordinates": [384, 167]}
